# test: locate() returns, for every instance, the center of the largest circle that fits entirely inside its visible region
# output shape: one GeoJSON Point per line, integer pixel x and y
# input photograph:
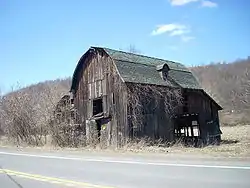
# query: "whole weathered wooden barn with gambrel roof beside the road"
{"type": "Point", "coordinates": [124, 96]}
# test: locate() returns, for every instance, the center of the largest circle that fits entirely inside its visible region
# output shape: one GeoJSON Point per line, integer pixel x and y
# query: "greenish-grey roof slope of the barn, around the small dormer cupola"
{"type": "Point", "coordinates": [142, 69]}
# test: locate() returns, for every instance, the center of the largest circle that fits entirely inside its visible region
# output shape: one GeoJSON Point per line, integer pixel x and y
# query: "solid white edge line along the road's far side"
{"type": "Point", "coordinates": [127, 162]}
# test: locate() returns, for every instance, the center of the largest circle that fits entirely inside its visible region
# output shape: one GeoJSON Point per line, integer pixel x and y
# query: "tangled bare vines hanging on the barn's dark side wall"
{"type": "Point", "coordinates": [140, 95]}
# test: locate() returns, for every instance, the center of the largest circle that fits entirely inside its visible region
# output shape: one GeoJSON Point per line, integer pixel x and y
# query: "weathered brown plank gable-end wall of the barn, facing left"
{"type": "Point", "coordinates": [98, 78]}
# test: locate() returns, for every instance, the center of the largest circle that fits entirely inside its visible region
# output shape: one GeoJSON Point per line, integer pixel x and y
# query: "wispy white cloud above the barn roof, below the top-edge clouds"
{"type": "Point", "coordinates": [172, 29]}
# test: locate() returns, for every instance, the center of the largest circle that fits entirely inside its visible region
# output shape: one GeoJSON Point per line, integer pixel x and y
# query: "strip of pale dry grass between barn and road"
{"type": "Point", "coordinates": [235, 143]}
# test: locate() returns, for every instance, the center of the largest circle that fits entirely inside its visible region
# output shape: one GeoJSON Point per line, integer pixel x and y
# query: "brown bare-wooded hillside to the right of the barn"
{"type": "Point", "coordinates": [229, 84]}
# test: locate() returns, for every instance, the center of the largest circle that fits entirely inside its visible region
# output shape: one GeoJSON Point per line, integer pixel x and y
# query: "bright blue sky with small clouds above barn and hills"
{"type": "Point", "coordinates": [43, 40]}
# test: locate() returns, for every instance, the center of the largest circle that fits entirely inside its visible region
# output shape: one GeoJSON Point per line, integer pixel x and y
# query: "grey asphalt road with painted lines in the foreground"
{"type": "Point", "coordinates": [38, 169]}
